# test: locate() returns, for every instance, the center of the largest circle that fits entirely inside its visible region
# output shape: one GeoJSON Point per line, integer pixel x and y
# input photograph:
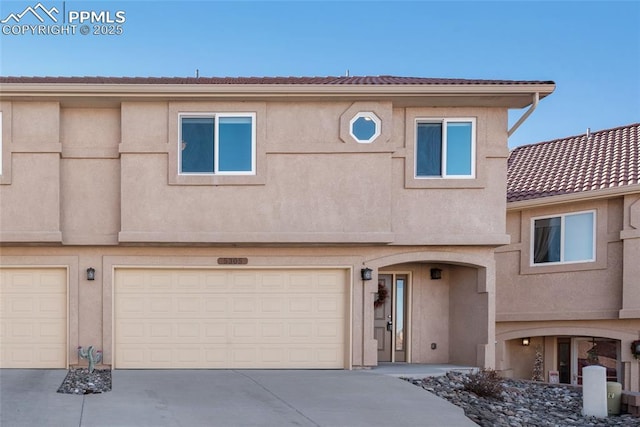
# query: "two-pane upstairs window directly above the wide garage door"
{"type": "Point", "coordinates": [218, 144]}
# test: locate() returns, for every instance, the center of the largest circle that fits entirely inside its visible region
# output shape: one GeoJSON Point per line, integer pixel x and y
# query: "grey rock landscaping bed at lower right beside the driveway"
{"type": "Point", "coordinates": [522, 404]}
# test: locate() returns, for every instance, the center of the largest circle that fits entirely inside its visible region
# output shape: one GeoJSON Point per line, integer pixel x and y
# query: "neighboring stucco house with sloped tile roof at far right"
{"type": "Point", "coordinates": [569, 281]}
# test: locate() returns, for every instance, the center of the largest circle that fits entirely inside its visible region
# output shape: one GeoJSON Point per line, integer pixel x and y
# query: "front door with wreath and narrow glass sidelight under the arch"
{"type": "Point", "coordinates": [390, 316]}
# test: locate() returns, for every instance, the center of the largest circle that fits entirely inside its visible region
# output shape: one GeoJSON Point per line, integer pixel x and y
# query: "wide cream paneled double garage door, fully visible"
{"type": "Point", "coordinates": [240, 318]}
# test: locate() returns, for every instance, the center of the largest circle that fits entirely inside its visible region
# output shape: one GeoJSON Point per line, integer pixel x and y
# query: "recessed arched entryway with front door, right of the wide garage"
{"type": "Point", "coordinates": [430, 307]}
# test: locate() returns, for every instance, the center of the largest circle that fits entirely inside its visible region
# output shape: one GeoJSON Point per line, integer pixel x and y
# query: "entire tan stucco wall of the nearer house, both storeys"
{"type": "Point", "coordinates": [98, 181]}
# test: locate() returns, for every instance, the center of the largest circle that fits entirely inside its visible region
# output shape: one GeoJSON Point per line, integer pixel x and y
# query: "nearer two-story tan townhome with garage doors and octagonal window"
{"type": "Point", "coordinates": [329, 222]}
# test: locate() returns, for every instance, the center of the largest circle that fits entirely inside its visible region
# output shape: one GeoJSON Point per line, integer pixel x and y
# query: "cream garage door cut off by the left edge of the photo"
{"type": "Point", "coordinates": [33, 318]}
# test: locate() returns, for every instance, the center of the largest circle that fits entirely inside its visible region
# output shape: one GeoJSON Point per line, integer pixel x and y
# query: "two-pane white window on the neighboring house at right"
{"type": "Point", "coordinates": [564, 238]}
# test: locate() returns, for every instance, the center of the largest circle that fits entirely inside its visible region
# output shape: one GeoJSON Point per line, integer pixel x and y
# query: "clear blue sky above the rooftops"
{"type": "Point", "coordinates": [591, 49]}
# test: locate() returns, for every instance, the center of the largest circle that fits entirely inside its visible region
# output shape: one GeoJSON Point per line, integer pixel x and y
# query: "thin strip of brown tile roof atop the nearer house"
{"type": "Point", "coordinates": [347, 80]}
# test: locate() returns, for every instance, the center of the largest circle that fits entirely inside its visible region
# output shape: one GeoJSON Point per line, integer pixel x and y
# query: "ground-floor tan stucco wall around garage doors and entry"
{"type": "Point", "coordinates": [91, 302]}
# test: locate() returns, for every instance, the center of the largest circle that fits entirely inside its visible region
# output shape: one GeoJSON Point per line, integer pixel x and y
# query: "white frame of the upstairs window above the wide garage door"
{"type": "Point", "coordinates": [216, 157]}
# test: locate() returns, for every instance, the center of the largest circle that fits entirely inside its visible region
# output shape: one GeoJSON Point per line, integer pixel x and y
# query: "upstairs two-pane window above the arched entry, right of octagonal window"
{"type": "Point", "coordinates": [445, 148]}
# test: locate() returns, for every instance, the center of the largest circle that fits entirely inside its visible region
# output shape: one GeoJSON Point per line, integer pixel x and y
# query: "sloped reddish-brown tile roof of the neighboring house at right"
{"type": "Point", "coordinates": [606, 159]}
